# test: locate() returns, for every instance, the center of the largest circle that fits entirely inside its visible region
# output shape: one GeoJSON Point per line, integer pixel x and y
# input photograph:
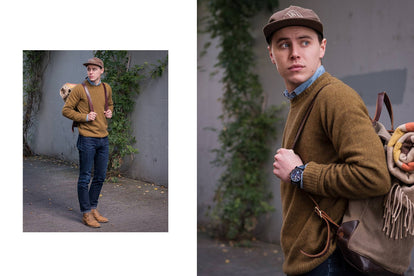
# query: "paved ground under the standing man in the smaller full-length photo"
{"type": "Point", "coordinates": [50, 201]}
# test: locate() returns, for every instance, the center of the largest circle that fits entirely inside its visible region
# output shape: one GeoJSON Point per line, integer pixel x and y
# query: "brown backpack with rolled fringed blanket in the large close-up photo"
{"type": "Point", "coordinates": [376, 235]}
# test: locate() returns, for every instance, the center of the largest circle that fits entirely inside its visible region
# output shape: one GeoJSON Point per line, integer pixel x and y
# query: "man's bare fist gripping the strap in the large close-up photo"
{"type": "Point", "coordinates": [285, 161]}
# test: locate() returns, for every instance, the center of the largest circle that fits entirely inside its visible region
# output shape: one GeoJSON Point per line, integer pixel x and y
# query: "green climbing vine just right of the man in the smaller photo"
{"type": "Point", "coordinates": [125, 81]}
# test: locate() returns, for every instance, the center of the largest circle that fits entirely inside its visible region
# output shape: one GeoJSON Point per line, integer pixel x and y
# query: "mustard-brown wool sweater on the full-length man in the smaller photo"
{"type": "Point", "coordinates": [77, 107]}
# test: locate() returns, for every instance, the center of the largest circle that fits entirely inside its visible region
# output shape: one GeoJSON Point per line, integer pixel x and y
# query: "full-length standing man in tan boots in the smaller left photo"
{"type": "Point", "coordinates": [92, 142]}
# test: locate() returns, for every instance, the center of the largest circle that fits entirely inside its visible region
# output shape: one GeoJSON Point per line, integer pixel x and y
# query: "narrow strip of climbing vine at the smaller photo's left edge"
{"type": "Point", "coordinates": [33, 68]}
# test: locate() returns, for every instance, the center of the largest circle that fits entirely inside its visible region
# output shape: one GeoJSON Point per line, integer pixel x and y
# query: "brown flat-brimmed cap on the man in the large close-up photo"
{"type": "Point", "coordinates": [292, 16]}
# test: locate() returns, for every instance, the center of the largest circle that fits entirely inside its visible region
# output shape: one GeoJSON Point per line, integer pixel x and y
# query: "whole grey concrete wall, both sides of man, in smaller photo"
{"type": "Point", "coordinates": [52, 134]}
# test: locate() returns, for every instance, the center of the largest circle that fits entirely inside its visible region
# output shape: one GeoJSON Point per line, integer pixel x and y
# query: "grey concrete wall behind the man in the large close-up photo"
{"type": "Point", "coordinates": [370, 47]}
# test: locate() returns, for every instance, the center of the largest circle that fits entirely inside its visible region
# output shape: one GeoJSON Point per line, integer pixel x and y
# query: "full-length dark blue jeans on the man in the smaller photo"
{"type": "Point", "coordinates": [93, 152]}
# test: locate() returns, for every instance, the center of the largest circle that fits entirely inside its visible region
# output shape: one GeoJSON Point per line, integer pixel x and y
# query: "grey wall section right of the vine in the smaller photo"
{"type": "Point", "coordinates": [150, 121]}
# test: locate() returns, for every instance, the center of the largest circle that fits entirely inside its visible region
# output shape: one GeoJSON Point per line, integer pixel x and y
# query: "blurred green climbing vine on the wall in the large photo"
{"type": "Point", "coordinates": [242, 194]}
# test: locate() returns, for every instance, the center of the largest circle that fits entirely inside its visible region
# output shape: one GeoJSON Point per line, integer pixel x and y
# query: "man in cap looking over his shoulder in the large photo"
{"type": "Point", "coordinates": [338, 155]}
